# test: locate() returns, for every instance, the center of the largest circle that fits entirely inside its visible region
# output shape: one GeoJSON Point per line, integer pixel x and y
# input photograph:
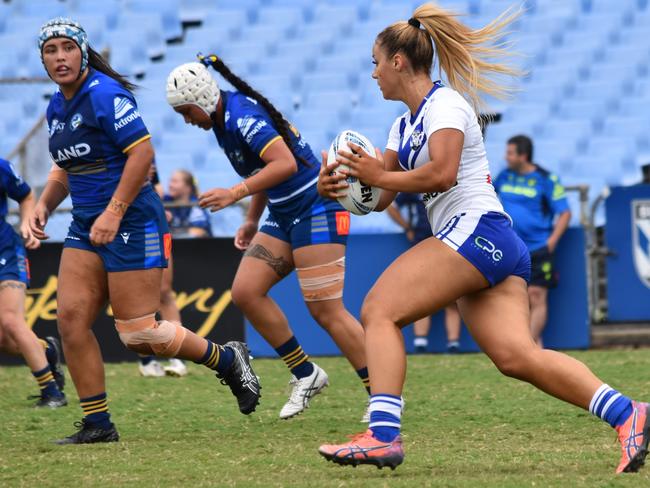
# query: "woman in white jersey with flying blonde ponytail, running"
{"type": "Point", "coordinates": [475, 259]}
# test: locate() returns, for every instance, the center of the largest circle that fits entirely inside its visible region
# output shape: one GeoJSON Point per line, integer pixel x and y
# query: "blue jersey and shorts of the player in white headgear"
{"type": "Point", "coordinates": [297, 214]}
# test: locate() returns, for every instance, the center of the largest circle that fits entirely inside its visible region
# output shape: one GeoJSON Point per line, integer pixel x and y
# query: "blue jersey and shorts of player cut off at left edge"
{"type": "Point", "coordinates": [13, 261]}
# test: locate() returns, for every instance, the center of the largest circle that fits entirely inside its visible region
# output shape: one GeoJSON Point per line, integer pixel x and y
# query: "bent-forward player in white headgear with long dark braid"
{"type": "Point", "coordinates": [303, 231]}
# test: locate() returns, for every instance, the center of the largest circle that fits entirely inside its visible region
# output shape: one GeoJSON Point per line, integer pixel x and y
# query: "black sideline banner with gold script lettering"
{"type": "Point", "coordinates": [203, 272]}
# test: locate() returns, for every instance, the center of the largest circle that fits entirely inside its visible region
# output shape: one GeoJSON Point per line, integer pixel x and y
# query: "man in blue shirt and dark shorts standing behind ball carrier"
{"type": "Point", "coordinates": [537, 203]}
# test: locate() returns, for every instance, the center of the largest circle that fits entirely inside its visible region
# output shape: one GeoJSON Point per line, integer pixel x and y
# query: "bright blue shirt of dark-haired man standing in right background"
{"type": "Point", "coordinates": [532, 200]}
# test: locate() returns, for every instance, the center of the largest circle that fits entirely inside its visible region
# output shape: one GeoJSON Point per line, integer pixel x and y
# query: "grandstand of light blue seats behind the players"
{"type": "Point", "coordinates": [584, 98]}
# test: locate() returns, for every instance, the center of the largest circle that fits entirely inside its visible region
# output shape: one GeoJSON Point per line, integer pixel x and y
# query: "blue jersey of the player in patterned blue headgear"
{"type": "Point", "coordinates": [90, 135]}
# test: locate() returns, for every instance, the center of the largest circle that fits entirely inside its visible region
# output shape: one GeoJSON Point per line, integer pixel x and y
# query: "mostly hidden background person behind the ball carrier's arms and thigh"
{"type": "Point", "coordinates": [410, 214]}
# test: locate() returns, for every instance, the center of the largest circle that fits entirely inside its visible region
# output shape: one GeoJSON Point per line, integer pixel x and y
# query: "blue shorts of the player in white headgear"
{"type": "Point", "coordinates": [307, 220]}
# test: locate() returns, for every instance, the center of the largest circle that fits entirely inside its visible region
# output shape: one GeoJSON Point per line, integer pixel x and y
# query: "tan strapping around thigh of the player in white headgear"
{"type": "Point", "coordinates": [322, 282]}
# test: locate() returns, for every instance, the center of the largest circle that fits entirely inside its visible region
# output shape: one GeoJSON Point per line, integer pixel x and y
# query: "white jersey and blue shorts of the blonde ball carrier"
{"type": "Point", "coordinates": [468, 217]}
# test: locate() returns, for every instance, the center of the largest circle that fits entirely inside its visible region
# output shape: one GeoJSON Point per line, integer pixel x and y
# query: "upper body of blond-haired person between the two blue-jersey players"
{"type": "Point", "coordinates": [190, 221]}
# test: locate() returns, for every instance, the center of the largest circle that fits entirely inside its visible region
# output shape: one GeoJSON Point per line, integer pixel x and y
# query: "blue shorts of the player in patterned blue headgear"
{"type": "Point", "coordinates": [143, 240]}
